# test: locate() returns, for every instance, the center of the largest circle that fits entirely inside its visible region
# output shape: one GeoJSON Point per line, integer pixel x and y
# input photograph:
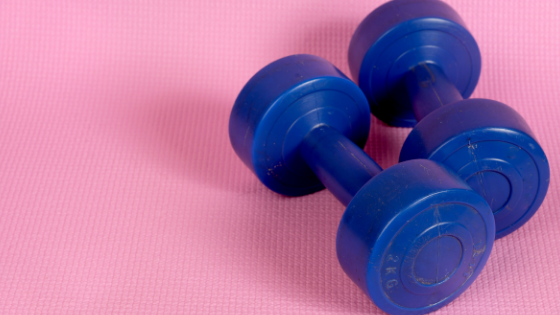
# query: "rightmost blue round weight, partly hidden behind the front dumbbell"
{"type": "Point", "coordinates": [492, 148]}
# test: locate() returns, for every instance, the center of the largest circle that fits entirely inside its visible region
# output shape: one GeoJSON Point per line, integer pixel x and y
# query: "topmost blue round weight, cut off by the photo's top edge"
{"type": "Point", "coordinates": [401, 34]}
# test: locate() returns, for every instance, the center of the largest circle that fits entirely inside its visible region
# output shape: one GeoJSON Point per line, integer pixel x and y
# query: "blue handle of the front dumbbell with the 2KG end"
{"type": "Point", "coordinates": [341, 165]}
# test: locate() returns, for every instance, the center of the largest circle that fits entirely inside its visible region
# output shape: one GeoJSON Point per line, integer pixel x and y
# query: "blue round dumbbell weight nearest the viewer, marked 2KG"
{"type": "Point", "coordinates": [415, 237]}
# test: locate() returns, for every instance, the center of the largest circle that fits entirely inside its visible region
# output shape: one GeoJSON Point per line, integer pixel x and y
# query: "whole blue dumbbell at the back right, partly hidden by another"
{"type": "Point", "coordinates": [416, 62]}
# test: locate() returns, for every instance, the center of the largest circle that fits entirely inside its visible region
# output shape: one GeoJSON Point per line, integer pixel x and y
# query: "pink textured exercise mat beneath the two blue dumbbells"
{"type": "Point", "coordinates": [120, 192]}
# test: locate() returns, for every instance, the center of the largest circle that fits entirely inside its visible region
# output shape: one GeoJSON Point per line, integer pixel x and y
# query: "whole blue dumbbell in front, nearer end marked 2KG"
{"type": "Point", "coordinates": [413, 237]}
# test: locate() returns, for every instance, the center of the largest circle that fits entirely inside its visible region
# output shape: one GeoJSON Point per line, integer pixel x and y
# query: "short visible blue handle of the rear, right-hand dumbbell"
{"type": "Point", "coordinates": [429, 89]}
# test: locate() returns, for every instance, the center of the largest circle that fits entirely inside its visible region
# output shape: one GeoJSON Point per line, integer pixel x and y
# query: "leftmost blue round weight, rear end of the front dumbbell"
{"type": "Point", "coordinates": [280, 105]}
